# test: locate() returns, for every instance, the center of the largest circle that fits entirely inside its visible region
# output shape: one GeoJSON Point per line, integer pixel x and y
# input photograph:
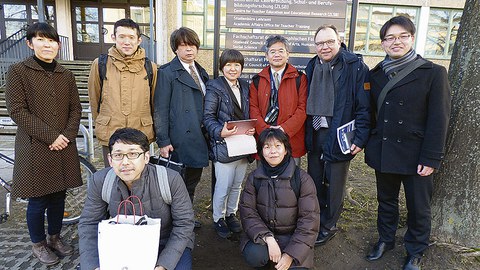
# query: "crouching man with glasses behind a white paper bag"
{"type": "Point", "coordinates": [129, 158]}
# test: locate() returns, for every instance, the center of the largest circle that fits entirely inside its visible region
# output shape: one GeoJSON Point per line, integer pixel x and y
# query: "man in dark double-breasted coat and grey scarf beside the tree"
{"type": "Point", "coordinates": [407, 142]}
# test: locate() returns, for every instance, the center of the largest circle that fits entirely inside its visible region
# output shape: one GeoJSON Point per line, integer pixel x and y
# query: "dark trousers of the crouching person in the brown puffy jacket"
{"type": "Point", "coordinates": [256, 256]}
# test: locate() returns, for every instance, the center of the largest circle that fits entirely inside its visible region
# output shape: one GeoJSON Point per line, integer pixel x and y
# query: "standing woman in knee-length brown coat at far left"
{"type": "Point", "coordinates": [42, 99]}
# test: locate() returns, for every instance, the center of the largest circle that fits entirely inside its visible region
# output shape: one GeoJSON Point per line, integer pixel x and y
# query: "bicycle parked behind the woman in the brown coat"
{"type": "Point", "coordinates": [75, 197]}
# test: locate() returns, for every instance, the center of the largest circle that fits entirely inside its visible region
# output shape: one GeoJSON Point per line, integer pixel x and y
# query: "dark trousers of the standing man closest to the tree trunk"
{"type": "Point", "coordinates": [418, 194]}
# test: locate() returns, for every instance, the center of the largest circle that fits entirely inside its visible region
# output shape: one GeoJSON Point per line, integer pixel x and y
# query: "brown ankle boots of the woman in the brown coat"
{"type": "Point", "coordinates": [44, 252]}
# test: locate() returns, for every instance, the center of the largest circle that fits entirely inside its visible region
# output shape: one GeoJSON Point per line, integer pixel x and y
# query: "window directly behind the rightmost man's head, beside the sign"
{"type": "Point", "coordinates": [370, 19]}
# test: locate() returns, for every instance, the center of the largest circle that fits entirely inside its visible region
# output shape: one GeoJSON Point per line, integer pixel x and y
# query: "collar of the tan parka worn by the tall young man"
{"type": "Point", "coordinates": [133, 63]}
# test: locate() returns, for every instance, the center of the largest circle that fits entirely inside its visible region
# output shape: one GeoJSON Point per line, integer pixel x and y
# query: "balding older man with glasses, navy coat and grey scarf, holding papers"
{"type": "Point", "coordinates": [337, 87]}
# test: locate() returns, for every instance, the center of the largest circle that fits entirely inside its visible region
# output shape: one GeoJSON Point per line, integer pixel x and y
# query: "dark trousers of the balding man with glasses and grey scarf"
{"type": "Point", "coordinates": [329, 179]}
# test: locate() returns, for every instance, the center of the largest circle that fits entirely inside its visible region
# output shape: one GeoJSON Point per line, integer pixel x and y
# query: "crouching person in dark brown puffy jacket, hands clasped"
{"type": "Point", "coordinates": [278, 208]}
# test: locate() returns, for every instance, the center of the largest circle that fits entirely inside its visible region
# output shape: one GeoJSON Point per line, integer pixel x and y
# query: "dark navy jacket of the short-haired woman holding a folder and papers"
{"type": "Point", "coordinates": [219, 107]}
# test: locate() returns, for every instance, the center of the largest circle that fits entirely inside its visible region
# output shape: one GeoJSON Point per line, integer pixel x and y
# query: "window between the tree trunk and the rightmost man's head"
{"type": "Point", "coordinates": [442, 32]}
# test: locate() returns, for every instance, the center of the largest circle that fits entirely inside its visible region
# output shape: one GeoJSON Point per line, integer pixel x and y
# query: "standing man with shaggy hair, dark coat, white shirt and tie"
{"type": "Point", "coordinates": [178, 110]}
